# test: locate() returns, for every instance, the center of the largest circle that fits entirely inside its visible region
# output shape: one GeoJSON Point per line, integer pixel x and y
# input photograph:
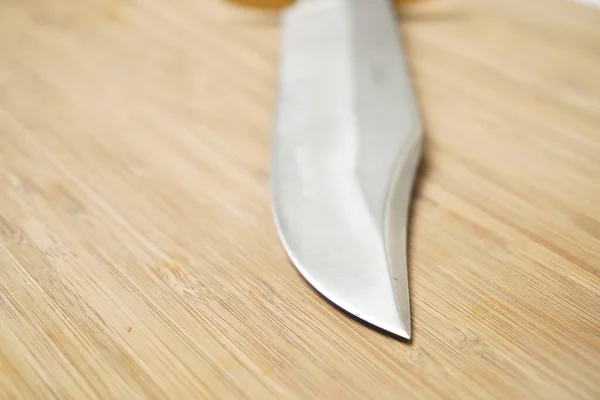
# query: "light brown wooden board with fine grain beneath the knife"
{"type": "Point", "coordinates": [138, 256]}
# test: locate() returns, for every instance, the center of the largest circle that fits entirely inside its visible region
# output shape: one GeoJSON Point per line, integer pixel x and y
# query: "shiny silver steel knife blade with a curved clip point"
{"type": "Point", "coordinates": [346, 145]}
